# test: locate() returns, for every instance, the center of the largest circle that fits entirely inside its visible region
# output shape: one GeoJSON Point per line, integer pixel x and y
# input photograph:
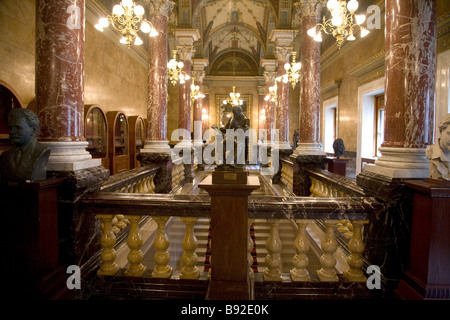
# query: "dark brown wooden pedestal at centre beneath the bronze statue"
{"type": "Point", "coordinates": [229, 238]}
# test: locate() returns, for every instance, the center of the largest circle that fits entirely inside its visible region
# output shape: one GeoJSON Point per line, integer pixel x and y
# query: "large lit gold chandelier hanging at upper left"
{"type": "Point", "coordinates": [128, 18]}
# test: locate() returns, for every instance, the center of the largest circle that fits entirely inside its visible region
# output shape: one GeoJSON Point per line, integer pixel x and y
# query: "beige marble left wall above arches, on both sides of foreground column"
{"type": "Point", "coordinates": [113, 78]}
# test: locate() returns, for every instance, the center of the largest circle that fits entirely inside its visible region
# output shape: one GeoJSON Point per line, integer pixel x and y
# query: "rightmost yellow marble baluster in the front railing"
{"type": "Point", "coordinates": [356, 246]}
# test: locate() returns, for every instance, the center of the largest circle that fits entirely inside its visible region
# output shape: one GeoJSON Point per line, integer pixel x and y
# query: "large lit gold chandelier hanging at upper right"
{"type": "Point", "coordinates": [343, 23]}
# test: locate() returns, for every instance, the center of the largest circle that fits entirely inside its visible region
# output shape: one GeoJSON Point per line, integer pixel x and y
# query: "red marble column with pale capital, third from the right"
{"type": "Point", "coordinates": [283, 42]}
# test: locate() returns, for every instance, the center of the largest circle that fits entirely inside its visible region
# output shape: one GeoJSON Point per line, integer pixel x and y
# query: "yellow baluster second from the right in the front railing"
{"type": "Point", "coordinates": [329, 247]}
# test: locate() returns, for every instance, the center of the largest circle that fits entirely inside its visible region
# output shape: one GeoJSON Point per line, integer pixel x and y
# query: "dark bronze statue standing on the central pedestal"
{"type": "Point", "coordinates": [237, 121]}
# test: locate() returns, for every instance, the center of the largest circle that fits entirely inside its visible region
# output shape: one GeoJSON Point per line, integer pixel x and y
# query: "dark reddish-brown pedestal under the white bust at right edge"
{"type": "Point", "coordinates": [428, 276]}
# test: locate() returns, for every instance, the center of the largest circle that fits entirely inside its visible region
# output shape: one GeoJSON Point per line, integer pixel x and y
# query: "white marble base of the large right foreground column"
{"type": "Point", "coordinates": [408, 163]}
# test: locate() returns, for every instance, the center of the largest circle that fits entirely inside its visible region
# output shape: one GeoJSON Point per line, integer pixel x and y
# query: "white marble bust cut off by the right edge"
{"type": "Point", "coordinates": [439, 153]}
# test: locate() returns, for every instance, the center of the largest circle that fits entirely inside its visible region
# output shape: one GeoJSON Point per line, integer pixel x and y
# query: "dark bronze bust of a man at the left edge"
{"type": "Point", "coordinates": [27, 158]}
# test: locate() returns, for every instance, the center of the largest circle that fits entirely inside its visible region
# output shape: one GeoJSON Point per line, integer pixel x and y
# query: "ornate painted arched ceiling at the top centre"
{"type": "Point", "coordinates": [225, 26]}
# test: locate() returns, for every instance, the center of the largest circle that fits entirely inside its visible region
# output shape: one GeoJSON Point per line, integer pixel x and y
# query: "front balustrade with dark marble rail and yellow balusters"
{"type": "Point", "coordinates": [302, 210]}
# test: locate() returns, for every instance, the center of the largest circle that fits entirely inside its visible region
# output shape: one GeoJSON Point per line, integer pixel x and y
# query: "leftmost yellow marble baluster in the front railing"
{"type": "Point", "coordinates": [107, 241]}
